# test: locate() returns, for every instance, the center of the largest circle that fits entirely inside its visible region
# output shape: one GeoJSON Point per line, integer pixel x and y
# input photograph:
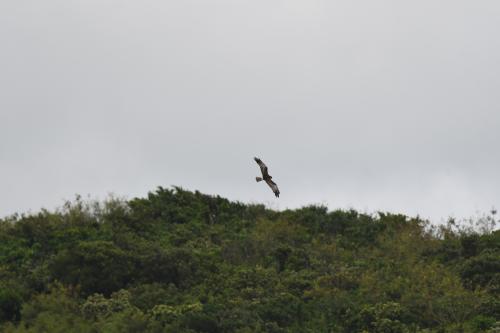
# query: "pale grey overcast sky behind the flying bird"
{"type": "Point", "coordinates": [377, 105]}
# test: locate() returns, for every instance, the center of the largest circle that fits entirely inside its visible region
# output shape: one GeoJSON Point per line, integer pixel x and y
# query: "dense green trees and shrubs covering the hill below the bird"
{"type": "Point", "coordinates": [179, 261]}
